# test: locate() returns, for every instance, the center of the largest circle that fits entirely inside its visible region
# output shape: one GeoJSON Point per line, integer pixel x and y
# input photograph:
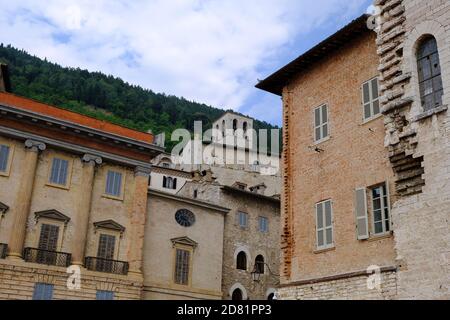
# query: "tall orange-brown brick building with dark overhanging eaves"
{"type": "Point", "coordinates": [338, 184]}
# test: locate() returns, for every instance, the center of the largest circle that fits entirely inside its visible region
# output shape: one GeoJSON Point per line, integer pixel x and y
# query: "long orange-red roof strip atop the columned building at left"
{"type": "Point", "coordinates": [12, 100]}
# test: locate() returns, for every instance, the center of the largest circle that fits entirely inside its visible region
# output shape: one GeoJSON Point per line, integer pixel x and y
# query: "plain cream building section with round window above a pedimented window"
{"type": "Point", "coordinates": [182, 261]}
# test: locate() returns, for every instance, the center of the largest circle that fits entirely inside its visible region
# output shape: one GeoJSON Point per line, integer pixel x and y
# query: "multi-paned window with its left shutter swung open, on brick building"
{"type": "Point", "coordinates": [380, 210]}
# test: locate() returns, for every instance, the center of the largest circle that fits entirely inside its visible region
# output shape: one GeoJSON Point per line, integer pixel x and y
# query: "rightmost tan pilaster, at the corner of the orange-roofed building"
{"type": "Point", "coordinates": [138, 214]}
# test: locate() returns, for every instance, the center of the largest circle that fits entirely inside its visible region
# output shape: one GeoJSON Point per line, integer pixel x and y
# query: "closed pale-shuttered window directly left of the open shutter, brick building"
{"type": "Point", "coordinates": [324, 225]}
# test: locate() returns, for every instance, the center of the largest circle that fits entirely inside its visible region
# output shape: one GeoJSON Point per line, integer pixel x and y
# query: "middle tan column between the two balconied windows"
{"type": "Point", "coordinates": [84, 207]}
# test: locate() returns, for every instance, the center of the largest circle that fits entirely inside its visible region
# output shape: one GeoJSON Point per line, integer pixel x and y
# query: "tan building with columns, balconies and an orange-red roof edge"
{"type": "Point", "coordinates": [73, 192]}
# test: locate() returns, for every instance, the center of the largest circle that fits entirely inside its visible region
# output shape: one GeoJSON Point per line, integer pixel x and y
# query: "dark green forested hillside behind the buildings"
{"type": "Point", "coordinates": [105, 97]}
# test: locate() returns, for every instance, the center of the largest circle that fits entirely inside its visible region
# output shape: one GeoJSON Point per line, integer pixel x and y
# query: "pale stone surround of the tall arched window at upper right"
{"type": "Point", "coordinates": [413, 39]}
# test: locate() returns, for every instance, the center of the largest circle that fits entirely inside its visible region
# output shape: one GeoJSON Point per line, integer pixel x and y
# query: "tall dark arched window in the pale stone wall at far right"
{"type": "Point", "coordinates": [429, 69]}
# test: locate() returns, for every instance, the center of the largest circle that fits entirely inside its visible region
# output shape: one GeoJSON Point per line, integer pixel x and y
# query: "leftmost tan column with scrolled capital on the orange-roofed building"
{"type": "Point", "coordinates": [24, 194]}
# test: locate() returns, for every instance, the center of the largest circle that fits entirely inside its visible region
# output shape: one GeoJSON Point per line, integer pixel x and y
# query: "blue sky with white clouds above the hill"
{"type": "Point", "coordinates": [210, 51]}
